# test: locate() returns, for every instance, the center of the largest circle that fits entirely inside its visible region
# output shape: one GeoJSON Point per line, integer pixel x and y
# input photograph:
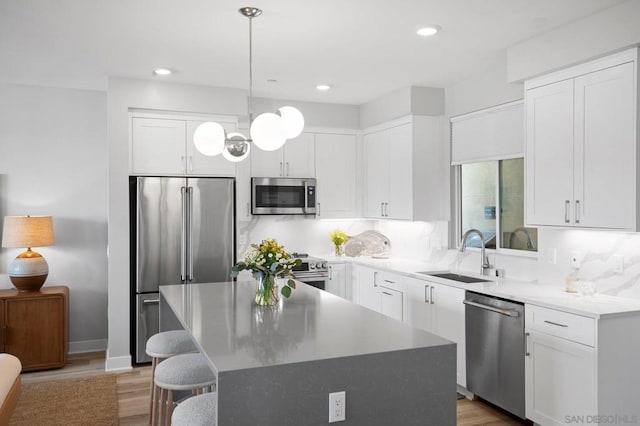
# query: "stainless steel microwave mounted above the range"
{"type": "Point", "coordinates": [283, 196]}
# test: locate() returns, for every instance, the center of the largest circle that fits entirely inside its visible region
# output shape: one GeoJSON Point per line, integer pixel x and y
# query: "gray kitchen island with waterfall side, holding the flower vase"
{"type": "Point", "coordinates": [277, 365]}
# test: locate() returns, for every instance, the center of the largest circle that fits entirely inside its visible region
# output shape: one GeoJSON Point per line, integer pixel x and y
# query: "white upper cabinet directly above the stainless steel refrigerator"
{"type": "Point", "coordinates": [164, 146]}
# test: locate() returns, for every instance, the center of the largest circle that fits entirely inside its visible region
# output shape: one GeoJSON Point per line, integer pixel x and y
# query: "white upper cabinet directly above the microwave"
{"type": "Point", "coordinates": [295, 159]}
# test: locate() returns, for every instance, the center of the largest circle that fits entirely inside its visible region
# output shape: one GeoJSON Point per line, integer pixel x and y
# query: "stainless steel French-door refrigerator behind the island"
{"type": "Point", "coordinates": [182, 231]}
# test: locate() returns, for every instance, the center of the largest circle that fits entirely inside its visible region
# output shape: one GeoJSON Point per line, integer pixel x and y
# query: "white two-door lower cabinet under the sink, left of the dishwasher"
{"type": "Point", "coordinates": [438, 309]}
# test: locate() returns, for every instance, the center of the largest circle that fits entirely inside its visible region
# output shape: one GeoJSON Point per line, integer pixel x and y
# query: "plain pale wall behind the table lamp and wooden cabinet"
{"type": "Point", "coordinates": [53, 162]}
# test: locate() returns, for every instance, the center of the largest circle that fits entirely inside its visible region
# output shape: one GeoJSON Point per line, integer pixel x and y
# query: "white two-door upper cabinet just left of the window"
{"type": "Point", "coordinates": [403, 170]}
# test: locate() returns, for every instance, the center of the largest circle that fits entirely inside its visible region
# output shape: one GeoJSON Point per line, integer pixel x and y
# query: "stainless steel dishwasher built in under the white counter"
{"type": "Point", "coordinates": [495, 350]}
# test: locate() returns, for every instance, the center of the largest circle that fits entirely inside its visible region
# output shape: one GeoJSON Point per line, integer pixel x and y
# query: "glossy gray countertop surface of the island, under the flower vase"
{"type": "Point", "coordinates": [311, 325]}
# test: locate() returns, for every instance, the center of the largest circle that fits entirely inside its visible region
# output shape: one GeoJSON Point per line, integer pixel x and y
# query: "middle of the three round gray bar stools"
{"type": "Point", "coordinates": [186, 372]}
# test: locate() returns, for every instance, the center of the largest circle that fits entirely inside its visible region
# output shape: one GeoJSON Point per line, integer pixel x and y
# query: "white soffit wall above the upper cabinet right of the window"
{"type": "Point", "coordinates": [612, 29]}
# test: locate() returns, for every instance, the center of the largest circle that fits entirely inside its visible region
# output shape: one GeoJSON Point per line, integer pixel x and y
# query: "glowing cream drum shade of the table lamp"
{"type": "Point", "coordinates": [27, 231]}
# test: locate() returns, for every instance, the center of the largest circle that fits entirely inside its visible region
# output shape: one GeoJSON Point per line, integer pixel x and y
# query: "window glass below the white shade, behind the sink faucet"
{"type": "Point", "coordinates": [492, 201]}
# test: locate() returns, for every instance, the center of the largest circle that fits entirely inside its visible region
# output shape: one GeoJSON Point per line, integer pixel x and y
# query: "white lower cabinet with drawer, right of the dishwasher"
{"type": "Point", "coordinates": [581, 370]}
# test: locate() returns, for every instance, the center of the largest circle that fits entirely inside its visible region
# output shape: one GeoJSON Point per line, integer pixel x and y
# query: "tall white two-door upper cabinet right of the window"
{"type": "Point", "coordinates": [581, 146]}
